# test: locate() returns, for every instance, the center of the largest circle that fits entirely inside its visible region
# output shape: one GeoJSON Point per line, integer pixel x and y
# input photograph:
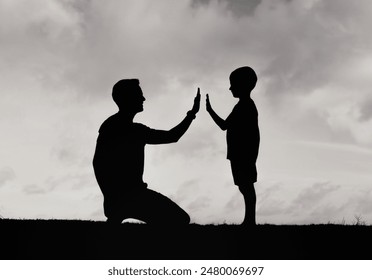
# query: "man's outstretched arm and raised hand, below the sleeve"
{"type": "Point", "coordinates": [174, 134]}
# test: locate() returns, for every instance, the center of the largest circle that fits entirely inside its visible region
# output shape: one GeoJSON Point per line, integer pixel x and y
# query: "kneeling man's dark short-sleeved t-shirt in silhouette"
{"type": "Point", "coordinates": [119, 157]}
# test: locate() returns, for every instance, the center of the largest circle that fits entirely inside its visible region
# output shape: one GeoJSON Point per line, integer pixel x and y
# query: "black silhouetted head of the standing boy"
{"type": "Point", "coordinates": [242, 81]}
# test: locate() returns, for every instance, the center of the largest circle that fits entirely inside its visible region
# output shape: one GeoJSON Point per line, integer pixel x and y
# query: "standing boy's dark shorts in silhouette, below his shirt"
{"type": "Point", "coordinates": [243, 172]}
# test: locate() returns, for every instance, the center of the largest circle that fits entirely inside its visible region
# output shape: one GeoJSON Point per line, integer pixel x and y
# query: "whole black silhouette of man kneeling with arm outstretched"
{"type": "Point", "coordinates": [119, 161]}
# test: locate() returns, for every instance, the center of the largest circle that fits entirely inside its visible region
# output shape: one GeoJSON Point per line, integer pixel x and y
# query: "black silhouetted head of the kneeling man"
{"type": "Point", "coordinates": [128, 95]}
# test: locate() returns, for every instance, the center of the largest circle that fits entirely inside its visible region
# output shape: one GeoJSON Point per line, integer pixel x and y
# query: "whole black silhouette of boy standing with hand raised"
{"type": "Point", "coordinates": [243, 137]}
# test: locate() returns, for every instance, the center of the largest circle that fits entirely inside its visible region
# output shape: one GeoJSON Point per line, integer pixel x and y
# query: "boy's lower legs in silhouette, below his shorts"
{"type": "Point", "coordinates": [249, 195]}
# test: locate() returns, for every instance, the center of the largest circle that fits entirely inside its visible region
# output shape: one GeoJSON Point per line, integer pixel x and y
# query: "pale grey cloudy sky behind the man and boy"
{"type": "Point", "coordinates": [60, 58]}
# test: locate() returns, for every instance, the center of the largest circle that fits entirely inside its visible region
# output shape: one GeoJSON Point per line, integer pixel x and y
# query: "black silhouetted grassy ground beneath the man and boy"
{"type": "Point", "coordinates": [56, 239]}
